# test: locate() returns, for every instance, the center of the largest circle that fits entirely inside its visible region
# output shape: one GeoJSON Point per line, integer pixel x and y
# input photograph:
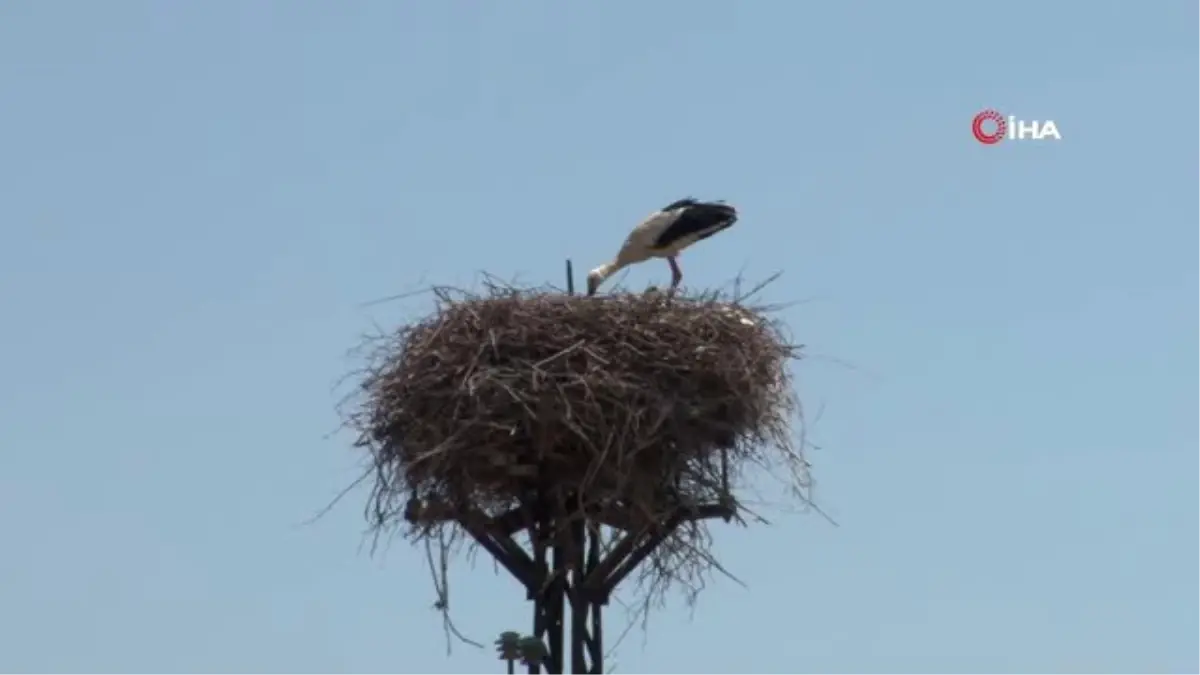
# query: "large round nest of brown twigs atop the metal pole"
{"type": "Point", "coordinates": [629, 404]}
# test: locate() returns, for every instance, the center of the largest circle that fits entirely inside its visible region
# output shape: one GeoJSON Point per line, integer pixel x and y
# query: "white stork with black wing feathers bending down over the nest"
{"type": "Point", "coordinates": [664, 235]}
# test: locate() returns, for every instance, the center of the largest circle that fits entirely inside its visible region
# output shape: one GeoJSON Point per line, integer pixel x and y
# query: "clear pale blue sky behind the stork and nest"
{"type": "Point", "coordinates": [196, 200]}
